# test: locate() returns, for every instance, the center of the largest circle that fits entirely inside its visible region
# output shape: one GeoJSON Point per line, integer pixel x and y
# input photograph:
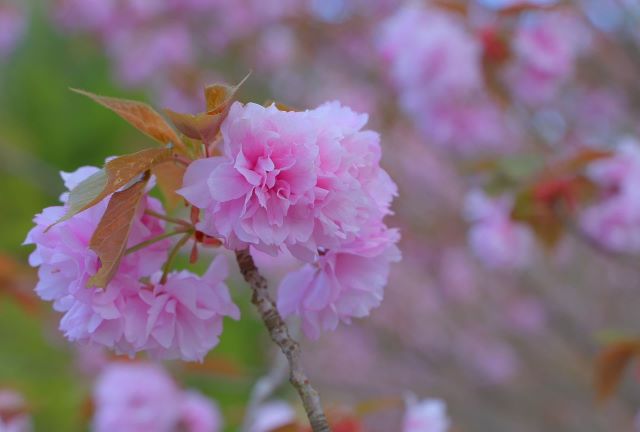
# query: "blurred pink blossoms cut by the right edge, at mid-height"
{"type": "Point", "coordinates": [614, 221]}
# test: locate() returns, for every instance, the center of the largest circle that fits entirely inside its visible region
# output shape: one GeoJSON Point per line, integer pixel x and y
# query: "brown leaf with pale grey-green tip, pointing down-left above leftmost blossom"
{"type": "Point", "coordinates": [115, 175]}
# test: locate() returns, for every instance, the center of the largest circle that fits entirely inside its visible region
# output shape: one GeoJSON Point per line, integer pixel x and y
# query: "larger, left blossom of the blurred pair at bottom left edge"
{"type": "Point", "coordinates": [136, 397]}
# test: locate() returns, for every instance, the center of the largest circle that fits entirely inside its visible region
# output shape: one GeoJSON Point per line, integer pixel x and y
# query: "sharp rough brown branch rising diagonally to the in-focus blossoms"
{"type": "Point", "coordinates": [279, 333]}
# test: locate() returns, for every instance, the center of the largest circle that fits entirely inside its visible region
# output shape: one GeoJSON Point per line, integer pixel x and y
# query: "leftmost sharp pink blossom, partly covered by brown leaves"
{"type": "Point", "coordinates": [65, 263]}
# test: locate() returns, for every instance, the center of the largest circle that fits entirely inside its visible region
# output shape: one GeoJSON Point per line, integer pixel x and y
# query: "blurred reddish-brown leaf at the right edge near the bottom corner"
{"type": "Point", "coordinates": [611, 364]}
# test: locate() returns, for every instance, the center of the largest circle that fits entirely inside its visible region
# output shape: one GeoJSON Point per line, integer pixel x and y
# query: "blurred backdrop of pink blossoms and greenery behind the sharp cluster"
{"type": "Point", "coordinates": [473, 100]}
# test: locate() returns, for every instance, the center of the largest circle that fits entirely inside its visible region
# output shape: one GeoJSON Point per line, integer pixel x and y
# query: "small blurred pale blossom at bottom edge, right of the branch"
{"type": "Point", "coordinates": [427, 415]}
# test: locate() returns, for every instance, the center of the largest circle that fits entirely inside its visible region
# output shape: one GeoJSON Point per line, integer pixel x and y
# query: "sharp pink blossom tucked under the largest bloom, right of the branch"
{"type": "Point", "coordinates": [344, 283]}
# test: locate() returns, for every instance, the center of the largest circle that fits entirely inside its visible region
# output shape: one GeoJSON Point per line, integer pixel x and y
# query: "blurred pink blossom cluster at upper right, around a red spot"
{"type": "Point", "coordinates": [439, 63]}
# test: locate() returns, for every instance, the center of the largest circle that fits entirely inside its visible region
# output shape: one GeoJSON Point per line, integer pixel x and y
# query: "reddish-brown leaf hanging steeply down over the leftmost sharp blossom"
{"type": "Point", "coordinates": [110, 238]}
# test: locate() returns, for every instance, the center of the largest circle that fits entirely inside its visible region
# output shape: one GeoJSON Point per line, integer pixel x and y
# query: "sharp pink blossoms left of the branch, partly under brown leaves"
{"type": "Point", "coordinates": [180, 318]}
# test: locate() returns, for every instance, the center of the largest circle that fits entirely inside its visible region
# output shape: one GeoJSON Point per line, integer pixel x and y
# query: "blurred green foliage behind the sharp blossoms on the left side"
{"type": "Point", "coordinates": [45, 128]}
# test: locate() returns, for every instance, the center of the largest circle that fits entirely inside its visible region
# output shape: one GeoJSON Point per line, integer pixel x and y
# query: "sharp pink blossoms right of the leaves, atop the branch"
{"type": "Point", "coordinates": [307, 184]}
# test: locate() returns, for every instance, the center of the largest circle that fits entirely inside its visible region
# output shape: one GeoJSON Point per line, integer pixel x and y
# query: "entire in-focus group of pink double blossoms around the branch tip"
{"type": "Point", "coordinates": [306, 184]}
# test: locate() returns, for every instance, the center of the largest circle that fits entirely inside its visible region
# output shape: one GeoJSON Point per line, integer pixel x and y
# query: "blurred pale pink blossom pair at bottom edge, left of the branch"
{"type": "Point", "coordinates": [140, 397]}
